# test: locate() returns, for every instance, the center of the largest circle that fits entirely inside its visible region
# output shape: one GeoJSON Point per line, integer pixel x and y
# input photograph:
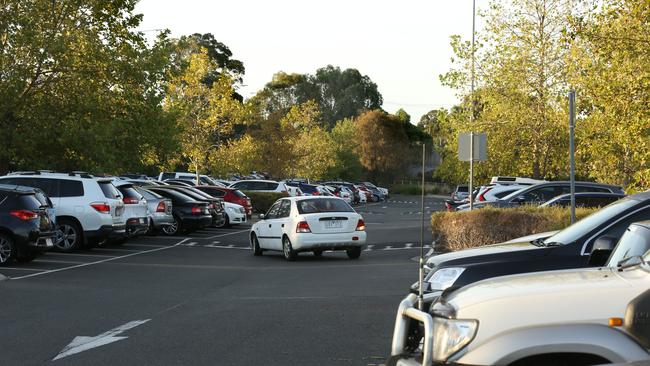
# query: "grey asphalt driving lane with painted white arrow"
{"type": "Point", "coordinates": [204, 299]}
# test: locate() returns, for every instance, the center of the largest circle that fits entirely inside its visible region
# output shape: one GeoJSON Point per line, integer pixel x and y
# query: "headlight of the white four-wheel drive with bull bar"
{"type": "Point", "coordinates": [451, 335]}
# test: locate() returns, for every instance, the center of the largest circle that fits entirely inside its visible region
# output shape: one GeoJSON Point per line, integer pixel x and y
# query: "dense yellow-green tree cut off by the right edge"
{"type": "Point", "coordinates": [611, 73]}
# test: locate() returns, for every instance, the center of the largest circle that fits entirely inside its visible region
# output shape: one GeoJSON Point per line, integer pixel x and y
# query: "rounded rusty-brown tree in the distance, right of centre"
{"type": "Point", "coordinates": [382, 143]}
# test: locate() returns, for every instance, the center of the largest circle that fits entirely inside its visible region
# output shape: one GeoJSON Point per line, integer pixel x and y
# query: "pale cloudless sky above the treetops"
{"type": "Point", "coordinates": [403, 46]}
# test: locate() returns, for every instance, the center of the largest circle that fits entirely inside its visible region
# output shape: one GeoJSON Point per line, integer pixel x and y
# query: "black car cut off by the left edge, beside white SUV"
{"type": "Point", "coordinates": [25, 227]}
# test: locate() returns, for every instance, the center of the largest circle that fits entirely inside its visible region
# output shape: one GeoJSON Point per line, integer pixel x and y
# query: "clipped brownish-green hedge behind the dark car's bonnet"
{"type": "Point", "coordinates": [467, 229]}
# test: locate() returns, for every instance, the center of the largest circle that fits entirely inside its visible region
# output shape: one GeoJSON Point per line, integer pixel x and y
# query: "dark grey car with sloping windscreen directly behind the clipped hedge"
{"type": "Point", "coordinates": [539, 193]}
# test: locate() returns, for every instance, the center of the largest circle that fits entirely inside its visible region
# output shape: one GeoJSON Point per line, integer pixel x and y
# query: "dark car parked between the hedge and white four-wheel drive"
{"type": "Point", "coordinates": [588, 242]}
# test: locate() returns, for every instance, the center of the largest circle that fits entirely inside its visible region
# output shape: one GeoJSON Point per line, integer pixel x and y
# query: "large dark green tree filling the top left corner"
{"type": "Point", "coordinates": [78, 83]}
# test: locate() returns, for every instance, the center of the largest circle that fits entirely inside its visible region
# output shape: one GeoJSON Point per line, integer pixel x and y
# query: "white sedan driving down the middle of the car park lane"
{"type": "Point", "coordinates": [309, 224]}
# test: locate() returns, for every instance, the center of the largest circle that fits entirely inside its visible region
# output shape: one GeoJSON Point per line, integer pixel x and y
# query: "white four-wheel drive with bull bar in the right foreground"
{"type": "Point", "coordinates": [571, 317]}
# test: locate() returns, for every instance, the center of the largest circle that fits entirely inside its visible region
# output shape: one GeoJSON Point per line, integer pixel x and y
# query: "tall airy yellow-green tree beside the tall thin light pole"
{"type": "Point", "coordinates": [520, 100]}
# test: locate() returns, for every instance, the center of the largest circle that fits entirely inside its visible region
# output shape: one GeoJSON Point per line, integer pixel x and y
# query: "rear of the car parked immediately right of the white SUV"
{"type": "Point", "coordinates": [135, 210]}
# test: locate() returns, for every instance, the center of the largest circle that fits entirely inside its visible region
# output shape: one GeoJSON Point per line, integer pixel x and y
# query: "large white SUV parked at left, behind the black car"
{"type": "Point", "coordinates": [88, 210]}
